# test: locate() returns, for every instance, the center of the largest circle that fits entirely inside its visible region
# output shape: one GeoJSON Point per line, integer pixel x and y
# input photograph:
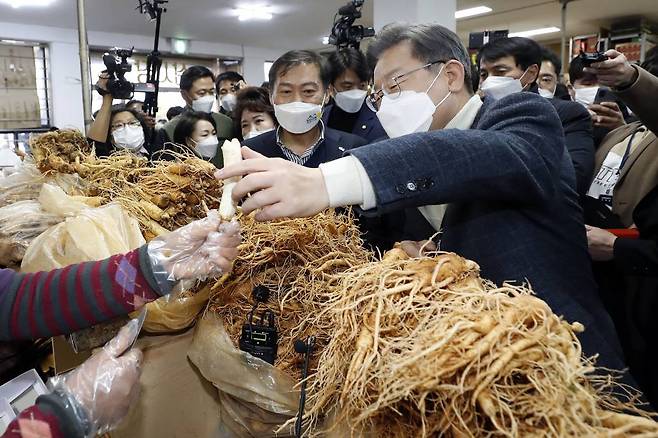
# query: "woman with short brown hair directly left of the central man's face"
{"type": "Point", "coordinates": [254, 114]}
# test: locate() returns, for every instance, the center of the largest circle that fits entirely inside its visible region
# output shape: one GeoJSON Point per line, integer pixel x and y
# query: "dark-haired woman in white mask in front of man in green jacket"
{"type": "Point", "coordinates": [197, 132]}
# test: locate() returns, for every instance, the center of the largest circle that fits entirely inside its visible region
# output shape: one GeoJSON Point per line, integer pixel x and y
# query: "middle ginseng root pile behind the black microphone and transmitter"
{"type": "Point", "coordinates": [293, 259]}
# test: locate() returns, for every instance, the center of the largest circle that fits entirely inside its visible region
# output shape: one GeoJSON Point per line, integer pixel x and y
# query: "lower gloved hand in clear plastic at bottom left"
{"type": "Point", "coordinates": [107, 384]}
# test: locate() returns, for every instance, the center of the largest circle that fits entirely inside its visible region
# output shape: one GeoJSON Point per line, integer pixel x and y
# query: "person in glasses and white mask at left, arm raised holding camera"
{"type": "Point", "coordinates": [117, 127]}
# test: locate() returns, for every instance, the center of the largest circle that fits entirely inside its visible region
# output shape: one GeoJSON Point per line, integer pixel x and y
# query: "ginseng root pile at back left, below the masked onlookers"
{"type": "Point", "coordinates": [161, 195]}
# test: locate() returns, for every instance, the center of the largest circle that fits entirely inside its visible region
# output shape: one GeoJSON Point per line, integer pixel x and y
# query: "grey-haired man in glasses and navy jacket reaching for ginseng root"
{"type": "Point", "coordinates": [493, 176]}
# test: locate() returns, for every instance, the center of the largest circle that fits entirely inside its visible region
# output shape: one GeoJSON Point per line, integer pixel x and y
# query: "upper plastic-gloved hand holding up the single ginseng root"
{"type": "Point", "coordinates": [201, 249]}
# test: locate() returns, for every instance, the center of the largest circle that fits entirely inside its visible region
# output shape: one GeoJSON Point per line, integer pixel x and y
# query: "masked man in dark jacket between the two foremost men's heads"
{"type": "Point", "coordinates": [349, 76]}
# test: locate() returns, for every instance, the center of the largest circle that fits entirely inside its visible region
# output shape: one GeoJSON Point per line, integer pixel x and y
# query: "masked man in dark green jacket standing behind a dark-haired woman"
{"type": "Point", "coordinates": [197, 87]}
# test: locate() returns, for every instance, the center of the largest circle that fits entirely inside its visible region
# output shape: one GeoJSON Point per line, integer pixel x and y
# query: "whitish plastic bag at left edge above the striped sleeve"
{"type": "Point", "coordinates": [20, 224]}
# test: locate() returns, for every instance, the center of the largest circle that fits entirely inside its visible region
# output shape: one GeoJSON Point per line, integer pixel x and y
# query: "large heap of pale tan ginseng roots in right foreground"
{"type": "Point", "coordinates": [424, 347]}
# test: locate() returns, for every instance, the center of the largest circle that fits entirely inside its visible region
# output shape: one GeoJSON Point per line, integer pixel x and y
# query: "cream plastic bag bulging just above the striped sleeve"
{"type": "Point", "coordinates": [91, 234]}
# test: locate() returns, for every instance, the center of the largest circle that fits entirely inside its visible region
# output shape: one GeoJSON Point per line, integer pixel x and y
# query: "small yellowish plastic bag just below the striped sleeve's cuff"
{"type": "Point", "coordinates": [175, 312]}
